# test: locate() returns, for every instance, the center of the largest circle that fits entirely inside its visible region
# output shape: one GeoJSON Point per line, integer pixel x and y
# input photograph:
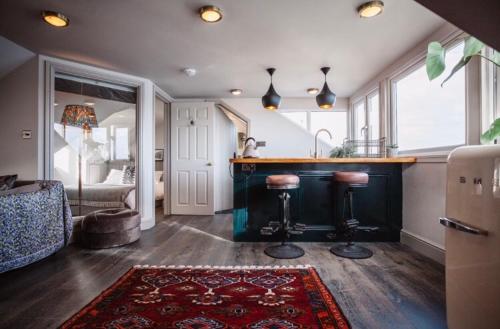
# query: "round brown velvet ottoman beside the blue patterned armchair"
{"type": "Point", "coordinates": [110, 228]}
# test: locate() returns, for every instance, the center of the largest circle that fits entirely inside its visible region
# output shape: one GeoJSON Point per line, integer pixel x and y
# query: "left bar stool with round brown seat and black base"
{"type": "Point", "coordinates": [285, 250]}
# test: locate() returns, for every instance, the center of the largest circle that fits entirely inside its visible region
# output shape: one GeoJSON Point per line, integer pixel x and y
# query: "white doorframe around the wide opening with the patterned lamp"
{"type": "Point", "coordinates": [145, 124]}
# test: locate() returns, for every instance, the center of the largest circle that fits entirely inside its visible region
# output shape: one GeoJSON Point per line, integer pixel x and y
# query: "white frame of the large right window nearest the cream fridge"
{"type": "Point", "coordinates": [392, 110]}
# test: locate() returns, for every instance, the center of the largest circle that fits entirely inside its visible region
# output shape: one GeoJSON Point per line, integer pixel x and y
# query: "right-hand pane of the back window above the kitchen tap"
{"type": "Point", "coordinates": [334, 122]}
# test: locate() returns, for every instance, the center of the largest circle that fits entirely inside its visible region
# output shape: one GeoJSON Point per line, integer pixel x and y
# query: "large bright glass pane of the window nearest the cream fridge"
{"type": "Point", "coordinates": [429, 115]}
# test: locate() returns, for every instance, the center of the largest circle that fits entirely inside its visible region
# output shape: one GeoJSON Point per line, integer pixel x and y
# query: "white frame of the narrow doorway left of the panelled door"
{"type": "Point", "coordinates": [167, 179]}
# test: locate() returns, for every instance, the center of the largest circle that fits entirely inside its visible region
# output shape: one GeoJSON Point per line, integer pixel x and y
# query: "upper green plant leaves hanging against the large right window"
{"type": "Point", "coordinates": [436, 53]}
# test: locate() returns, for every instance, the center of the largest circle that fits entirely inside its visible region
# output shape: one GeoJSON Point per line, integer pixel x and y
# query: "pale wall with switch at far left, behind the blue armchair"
{"type": "Point", "coordinates": [18, 112]}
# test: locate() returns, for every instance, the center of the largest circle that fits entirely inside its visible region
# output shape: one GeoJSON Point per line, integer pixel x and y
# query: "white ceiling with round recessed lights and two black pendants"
{"type": "Point", "coordinates": [157, 38]}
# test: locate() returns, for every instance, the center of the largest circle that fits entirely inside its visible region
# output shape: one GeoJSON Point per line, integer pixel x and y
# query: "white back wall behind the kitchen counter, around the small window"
{"type": "Point", "coordinates": [283, 138]}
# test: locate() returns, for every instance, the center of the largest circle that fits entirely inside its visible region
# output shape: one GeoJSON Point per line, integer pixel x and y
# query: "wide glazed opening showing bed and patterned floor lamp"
{"type": "Point", "coordinates": [95, 143]}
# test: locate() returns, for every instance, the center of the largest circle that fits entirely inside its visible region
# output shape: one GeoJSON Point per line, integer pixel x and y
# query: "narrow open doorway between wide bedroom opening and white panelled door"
{"type": "Point", "coordinates": [161, 157]}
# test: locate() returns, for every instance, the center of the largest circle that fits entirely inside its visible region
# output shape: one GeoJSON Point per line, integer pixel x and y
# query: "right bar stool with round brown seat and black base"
{"type": "Point", "coordinates": [349, 225]}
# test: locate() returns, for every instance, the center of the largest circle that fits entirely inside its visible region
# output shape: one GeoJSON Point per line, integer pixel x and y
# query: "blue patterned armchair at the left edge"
{"type": "Point", "coordinates": [35, 222]}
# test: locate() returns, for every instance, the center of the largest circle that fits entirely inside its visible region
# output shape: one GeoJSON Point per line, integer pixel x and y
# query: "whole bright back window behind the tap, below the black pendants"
{"type": "Point", "coordinates": [334, 121]}
